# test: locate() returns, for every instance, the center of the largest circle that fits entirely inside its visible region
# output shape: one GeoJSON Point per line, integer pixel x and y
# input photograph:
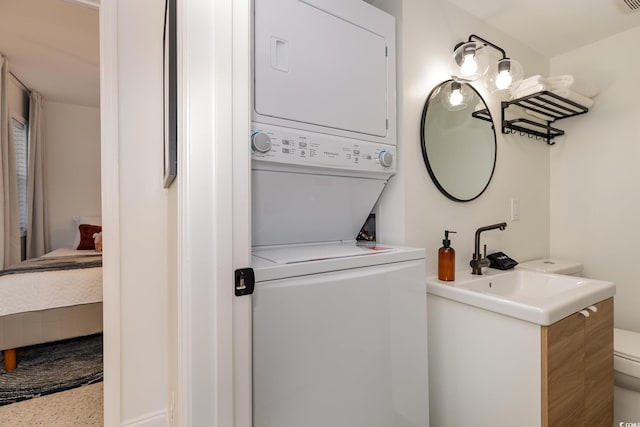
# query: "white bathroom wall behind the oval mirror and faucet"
{"type": "Point", "coordinates": [412, 208]}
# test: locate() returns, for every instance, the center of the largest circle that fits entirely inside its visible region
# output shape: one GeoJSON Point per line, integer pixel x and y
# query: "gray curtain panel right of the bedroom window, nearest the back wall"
{"type": "Point", "coordinates": [36, 223]}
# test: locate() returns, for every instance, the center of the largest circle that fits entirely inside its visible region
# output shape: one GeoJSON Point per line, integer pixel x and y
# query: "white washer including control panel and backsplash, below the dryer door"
{"type": "Point", "coordinates": [339, 330]}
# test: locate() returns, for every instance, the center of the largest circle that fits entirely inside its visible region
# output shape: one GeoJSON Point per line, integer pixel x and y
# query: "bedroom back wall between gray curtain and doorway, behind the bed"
{"type": "Point", "coordinates": [72, 168]}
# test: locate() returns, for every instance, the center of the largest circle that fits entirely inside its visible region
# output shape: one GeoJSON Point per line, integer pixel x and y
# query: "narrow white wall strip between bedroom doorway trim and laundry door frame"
{"type": "Point", "coordinates": [143, 215]}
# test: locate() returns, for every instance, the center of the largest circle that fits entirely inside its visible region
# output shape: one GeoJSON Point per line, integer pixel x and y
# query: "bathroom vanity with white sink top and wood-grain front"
{"type": "Point", "coordinates": [520, 348]}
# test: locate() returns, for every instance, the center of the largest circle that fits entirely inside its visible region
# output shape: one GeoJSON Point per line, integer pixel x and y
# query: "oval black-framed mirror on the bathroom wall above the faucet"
{"type": "Point", "coordinates": [458, 140]}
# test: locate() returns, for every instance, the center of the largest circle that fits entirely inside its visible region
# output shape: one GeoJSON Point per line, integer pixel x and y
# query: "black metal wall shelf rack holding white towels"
{"type": "Point", "coordinates": [547, 104]}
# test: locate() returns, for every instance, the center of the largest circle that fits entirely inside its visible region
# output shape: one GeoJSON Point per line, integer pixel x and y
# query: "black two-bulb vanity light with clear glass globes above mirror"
{"type": "Point", "coordinates": [470, 61]}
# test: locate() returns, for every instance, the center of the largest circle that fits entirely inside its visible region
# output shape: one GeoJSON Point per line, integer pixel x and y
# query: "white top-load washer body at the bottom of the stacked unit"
{"type": "Point", "coordinates": [339, 341]}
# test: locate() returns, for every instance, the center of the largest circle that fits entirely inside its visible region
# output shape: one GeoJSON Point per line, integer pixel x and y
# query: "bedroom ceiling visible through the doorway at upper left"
{"type": "Point", "coordinates": [53, 47]}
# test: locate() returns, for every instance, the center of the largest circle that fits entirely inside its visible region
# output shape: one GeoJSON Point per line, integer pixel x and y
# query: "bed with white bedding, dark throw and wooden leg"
{"type": "Point", "coordinates": [54, 297]}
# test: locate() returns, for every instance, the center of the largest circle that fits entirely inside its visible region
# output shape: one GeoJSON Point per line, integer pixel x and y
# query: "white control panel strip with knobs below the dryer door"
{"type": "Point", "coordinates": [295, 147]}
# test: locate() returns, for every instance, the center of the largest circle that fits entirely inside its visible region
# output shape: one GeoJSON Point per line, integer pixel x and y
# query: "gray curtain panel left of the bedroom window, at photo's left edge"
{"type": "Point", "coordinates": [9, 216]}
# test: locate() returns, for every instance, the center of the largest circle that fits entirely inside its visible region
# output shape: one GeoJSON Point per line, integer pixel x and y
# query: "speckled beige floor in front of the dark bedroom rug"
{"type": "Point", "coordinates": [82, 406]}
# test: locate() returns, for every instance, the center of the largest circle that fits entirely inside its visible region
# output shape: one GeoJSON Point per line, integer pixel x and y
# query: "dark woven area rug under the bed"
{"type": "Point", "coordinates": [49, 368]}
